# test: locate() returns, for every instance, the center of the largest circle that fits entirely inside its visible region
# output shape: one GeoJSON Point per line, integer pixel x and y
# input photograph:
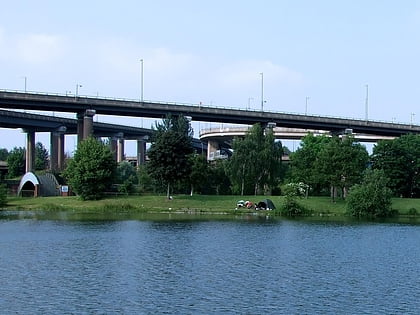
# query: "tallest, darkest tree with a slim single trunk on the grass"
{"type": "Point", "coordinates": [171, 143]}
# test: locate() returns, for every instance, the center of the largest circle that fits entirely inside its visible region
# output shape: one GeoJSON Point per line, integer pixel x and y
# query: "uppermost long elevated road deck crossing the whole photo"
{"type": "Point", "coordinates": [121, 107]}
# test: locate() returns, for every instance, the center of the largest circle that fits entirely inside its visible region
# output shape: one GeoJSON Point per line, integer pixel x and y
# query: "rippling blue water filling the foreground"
{"type": "Point", "coordinates": [242, 266]}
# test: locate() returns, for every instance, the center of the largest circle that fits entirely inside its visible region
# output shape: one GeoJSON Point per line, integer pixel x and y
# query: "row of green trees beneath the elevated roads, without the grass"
{"type": "Point", "coordinates": [323, 165]}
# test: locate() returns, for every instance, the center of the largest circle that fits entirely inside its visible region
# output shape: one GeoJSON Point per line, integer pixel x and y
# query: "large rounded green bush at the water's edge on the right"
{"type": "Point", "coordinates": [372, 197]}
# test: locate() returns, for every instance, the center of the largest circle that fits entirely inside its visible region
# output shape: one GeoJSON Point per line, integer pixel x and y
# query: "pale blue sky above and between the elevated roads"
{"type": "Point", "coordinates": [323, 57]}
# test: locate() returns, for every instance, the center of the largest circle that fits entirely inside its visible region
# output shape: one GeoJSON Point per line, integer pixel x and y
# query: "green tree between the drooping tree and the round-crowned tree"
{"type": "Point", "coordinates": [302, 161]}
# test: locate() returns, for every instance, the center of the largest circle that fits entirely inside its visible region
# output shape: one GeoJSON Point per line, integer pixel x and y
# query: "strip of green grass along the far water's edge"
{"type": "Point", "coordinates": [186, 204]}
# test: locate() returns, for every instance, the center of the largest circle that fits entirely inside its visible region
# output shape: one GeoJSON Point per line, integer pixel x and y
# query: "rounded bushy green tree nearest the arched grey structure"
{"type": "Point", "coordinates": [92, 169]}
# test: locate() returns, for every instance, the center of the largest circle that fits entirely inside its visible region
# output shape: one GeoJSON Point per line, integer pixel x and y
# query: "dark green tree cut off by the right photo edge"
{"type": "Point", "coordinates": [400, 160]}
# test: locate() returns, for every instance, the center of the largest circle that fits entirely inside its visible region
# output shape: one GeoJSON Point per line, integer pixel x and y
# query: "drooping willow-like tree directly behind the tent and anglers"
{"type": "Point", "coordinates": [256, 161]}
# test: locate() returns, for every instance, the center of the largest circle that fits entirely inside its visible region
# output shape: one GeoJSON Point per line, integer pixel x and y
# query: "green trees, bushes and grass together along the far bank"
{"type": "Point", "coordinates": [336, 173]}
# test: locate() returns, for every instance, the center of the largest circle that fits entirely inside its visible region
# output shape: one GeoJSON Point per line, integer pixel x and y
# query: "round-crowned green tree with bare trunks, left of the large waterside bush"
{"type": "Point", "coordinates": [341, 163]}
